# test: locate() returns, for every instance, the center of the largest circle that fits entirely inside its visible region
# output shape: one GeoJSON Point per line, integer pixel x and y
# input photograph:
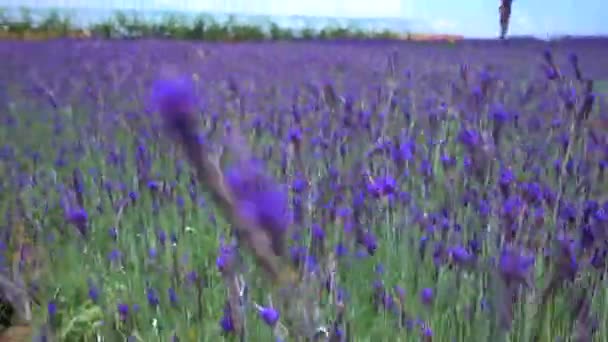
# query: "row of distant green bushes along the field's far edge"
{"type": "Point", "coordinates": [203, 27]}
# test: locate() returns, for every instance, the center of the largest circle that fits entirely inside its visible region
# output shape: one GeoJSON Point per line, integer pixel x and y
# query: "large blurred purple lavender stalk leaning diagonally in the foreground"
{"type": "Point", "coordinates": [254, 203]}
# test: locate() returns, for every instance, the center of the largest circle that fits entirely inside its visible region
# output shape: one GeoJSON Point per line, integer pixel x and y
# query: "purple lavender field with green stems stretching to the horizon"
{"type": "Point", "coordinates": [328, 191]}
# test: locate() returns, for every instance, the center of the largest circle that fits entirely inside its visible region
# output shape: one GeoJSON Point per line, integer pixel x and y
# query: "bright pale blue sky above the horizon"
{"type": "Point", "coordinates": [471, 18]}
